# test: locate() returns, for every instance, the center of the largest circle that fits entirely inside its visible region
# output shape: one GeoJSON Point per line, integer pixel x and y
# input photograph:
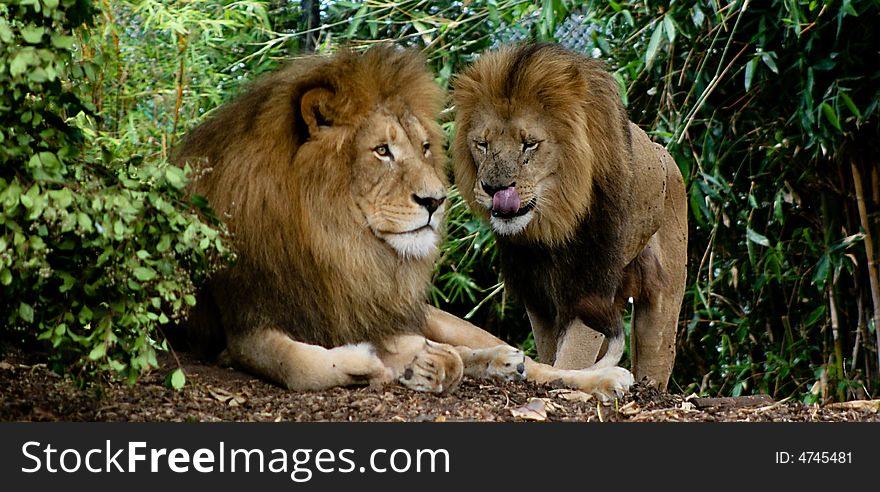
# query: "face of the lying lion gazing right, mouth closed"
{"type": "Point", "coordinates": [397, 182]}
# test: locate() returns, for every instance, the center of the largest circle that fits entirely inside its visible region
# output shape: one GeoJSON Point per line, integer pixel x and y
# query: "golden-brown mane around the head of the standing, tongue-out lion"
{"type": "Point", "coordinates": [580, 108]}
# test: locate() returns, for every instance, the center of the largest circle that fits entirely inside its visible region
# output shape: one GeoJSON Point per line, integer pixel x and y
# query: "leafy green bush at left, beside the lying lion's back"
{"type": "Point", "coordinates": [98, 247]}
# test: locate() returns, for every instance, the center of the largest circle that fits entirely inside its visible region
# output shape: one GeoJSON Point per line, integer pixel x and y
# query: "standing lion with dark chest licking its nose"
{"type": "Point", "coordinates": [587, 211]}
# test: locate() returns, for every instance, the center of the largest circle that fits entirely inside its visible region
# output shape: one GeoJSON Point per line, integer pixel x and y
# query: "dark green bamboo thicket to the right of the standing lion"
{"type": "Point", "coordinates": [766, 106]}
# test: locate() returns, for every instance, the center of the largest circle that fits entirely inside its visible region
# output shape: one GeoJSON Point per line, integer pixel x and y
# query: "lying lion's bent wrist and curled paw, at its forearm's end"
{"type": "Point", "coordinates": [423, 365]}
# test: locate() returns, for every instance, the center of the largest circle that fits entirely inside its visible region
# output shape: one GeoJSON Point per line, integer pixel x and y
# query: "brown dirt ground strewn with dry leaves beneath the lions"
{"type": "Point", "coordinates": [31, 392]}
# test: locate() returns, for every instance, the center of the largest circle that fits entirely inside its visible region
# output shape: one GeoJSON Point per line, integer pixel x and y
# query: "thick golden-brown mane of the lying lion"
{"type": "Point", "coordinates": [306, 261]}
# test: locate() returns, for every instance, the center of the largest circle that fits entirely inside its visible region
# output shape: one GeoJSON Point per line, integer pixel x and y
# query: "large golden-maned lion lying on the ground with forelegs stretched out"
{"type": "Point", "coordinates": [329, 175]}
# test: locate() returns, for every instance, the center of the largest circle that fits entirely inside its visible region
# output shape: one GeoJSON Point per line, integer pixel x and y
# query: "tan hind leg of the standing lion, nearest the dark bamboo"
{"type": "Point", "coordinates": [655, 314]}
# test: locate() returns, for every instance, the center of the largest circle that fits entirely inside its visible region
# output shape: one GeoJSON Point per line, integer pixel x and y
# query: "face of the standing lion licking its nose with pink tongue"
{"type": "Point", "coordinates": [516, 167]}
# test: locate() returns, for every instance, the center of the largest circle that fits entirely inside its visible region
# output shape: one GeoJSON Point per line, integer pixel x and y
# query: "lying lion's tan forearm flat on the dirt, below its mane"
{"type": "Point", "coordinates": [275, 356]}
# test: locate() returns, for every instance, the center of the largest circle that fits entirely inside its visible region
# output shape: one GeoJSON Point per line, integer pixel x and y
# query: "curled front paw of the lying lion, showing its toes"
{"type": "Point", "coordinates": [436, 369]}
